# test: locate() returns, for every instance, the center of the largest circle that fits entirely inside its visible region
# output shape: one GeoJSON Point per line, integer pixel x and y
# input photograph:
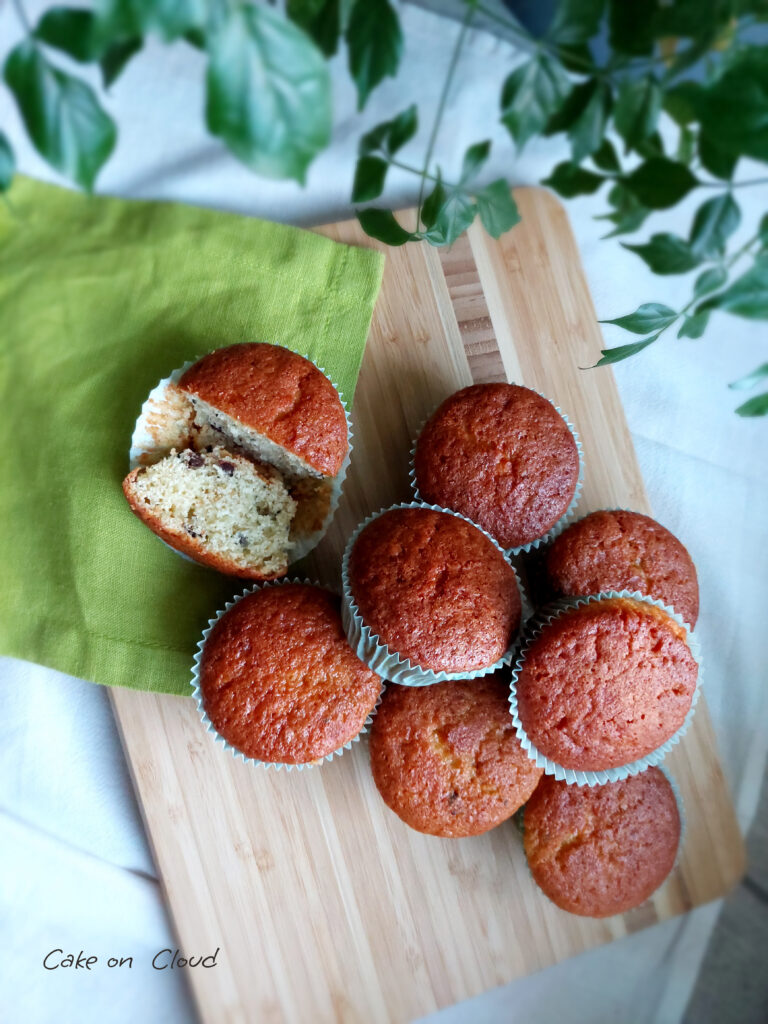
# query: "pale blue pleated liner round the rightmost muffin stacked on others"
{"type": "Point", "coordinates": [571, 776]}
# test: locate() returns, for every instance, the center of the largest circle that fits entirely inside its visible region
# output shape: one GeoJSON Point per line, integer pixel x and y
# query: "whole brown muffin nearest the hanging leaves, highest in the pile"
{"type": "Point", "coordinates": [503, 456]}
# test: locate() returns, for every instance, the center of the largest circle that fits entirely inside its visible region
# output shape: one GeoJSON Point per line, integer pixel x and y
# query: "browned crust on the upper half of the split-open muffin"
{"type": "Point", "coordinates": [278, 394]}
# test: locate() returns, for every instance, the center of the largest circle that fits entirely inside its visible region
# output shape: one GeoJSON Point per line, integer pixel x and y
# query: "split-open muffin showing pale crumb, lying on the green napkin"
{"type": "Point", "coordinates": [251, 404]}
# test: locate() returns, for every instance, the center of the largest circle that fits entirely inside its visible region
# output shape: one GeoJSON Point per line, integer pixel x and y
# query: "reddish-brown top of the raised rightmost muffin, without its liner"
{"type": "Point", "coordinates": [606, 684]}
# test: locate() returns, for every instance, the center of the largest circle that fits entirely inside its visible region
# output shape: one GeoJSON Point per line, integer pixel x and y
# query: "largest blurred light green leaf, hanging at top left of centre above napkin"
{"type": "Point", "coordinates": [269, 93]}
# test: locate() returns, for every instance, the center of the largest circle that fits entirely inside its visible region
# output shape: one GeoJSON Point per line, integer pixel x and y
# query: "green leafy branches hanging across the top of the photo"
{"type": "Point", "coordinates": [269, 101]}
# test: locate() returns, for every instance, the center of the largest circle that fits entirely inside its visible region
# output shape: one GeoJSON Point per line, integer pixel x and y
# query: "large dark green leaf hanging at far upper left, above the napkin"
{"type": "Point", "coordinates": [62, 115]}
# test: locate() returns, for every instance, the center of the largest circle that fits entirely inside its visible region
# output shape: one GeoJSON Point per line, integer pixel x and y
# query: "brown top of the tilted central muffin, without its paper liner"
{"type": "Point", "coordinates": [435, 589]}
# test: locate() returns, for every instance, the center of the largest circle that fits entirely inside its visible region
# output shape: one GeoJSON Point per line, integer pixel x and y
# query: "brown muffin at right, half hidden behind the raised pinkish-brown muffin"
{"type": "Point", "coordinates": [618, 550]}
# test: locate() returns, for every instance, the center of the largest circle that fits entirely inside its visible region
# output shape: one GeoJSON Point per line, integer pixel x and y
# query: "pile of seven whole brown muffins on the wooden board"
{"type": "Point", "coordinates": [487, 708]}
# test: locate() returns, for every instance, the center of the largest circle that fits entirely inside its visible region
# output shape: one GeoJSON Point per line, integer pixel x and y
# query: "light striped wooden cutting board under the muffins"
{"type": "Point", "coordinates": [325, 906]}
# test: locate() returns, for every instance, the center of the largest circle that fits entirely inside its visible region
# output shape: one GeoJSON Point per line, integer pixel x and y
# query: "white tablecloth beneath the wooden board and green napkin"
{"type": "Point", "coordinates": [77, 872]}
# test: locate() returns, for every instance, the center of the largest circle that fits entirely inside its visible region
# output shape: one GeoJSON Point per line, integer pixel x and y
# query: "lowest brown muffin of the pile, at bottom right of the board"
{"type": "Point", "coordinates": [603, 851]}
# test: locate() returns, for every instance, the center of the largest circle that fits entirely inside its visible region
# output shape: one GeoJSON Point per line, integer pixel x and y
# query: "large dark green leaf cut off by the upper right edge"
{"type": "Point", "coordinates": [735, 108]}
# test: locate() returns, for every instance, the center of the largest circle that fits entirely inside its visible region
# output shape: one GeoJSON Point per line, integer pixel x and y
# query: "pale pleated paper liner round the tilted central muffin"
{"type": "Point", "coordinates": [377, 656]}
